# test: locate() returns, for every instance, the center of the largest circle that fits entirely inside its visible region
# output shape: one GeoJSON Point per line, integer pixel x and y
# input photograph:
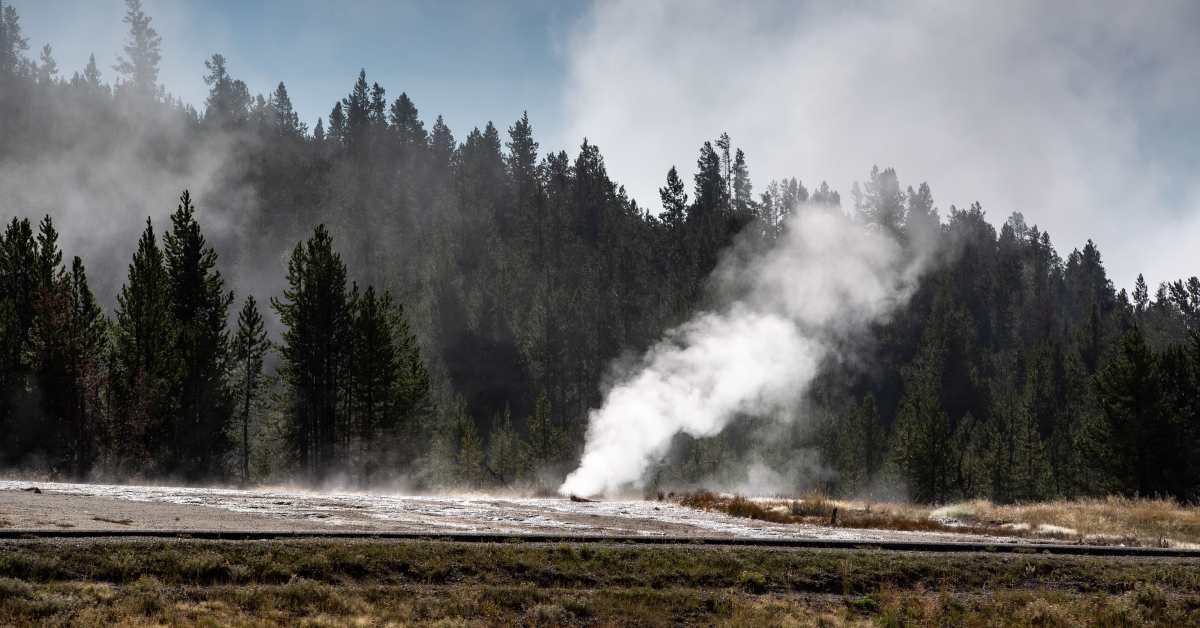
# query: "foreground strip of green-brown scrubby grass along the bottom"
{"type": "Point", "coordinates": [311, 583]}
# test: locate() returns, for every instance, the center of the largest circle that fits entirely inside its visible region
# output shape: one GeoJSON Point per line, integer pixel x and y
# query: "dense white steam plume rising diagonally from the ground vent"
{"type": "Point", "coordinates": [826, 279]}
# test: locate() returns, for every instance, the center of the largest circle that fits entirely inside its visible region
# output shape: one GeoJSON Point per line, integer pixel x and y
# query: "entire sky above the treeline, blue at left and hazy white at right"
{"type": "Point", "coordinates": [1081, 115]}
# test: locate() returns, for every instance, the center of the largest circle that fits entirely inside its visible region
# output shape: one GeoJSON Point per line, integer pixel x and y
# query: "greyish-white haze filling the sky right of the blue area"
{"type": "Point", "coordinates": [1075, 113]}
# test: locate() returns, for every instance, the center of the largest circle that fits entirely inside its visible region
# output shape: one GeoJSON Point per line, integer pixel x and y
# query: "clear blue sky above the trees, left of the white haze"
{"type": "Point", "coordinates": [471, 62]}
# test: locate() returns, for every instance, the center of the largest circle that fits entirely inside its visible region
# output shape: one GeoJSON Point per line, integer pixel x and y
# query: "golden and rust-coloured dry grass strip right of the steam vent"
{"type": "Point", "coordinates": [1113, 521]}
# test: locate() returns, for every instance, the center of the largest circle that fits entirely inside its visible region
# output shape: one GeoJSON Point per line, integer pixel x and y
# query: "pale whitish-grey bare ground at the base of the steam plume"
{"type": "Point", "coordinates": [127, 507]}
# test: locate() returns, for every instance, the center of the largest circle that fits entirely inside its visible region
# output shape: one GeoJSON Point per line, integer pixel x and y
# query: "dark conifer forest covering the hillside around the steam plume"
{"type": "Point", "coordinates": [447, 313]}
